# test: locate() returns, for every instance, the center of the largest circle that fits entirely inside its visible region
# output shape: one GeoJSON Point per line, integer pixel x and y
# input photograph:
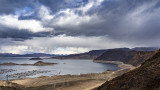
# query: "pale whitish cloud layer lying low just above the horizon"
{"type": "Point", "coordinates": [60, 44]}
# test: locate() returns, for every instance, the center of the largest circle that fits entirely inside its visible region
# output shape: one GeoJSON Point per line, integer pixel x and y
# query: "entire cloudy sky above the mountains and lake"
{"type": "Point", "coordinates": [76, 26]}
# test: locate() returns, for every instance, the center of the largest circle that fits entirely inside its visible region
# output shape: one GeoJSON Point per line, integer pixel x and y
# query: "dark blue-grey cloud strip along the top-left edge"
{"type": "Point", "coordinates": [10, 6]}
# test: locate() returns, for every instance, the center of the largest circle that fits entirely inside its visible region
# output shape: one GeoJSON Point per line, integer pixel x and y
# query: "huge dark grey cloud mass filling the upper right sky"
{"type": "Point", "coordinates": [123, 20]}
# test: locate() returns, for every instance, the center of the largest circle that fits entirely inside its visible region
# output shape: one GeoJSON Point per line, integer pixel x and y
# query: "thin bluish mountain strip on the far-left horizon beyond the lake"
{"type": "Point", "coordinates": [27, 55]}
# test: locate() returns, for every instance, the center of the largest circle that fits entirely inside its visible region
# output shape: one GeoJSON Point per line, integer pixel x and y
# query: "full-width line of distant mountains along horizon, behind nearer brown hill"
{"type": "Point", "coordinates": [93, 54]}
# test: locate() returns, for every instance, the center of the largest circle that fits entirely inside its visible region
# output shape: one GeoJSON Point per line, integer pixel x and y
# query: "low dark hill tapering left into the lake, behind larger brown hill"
{"type": "Point", "coordinates": [88, 55]}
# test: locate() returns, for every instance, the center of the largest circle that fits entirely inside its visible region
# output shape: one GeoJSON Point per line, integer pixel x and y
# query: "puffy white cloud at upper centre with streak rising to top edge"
{"type": "Point", "coordinates": [69, 17]}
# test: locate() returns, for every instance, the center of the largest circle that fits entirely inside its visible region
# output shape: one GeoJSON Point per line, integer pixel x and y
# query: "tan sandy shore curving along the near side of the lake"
{"type": "Point", "coordinates": [69, 82]}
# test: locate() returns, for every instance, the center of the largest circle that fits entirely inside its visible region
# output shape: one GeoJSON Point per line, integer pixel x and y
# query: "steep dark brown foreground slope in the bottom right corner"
{"type": "Point", "coordinates": [145, 77]}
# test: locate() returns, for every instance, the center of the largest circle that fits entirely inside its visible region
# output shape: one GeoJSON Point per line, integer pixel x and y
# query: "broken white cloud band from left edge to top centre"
{"type": "Point", "coordinates": [63, 18]}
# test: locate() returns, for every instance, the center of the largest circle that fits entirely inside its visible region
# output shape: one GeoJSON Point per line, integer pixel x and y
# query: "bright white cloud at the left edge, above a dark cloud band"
{"type": "Point", "coordinates": [12, 21]}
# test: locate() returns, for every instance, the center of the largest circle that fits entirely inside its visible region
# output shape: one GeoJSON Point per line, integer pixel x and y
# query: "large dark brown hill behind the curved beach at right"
{"type": "Point", "coordinates": [127, 56]}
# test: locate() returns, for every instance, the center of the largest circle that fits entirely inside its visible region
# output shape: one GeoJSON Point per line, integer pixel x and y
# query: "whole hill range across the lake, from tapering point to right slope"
{"type": "Point", "coordinates": [134, 56]}
